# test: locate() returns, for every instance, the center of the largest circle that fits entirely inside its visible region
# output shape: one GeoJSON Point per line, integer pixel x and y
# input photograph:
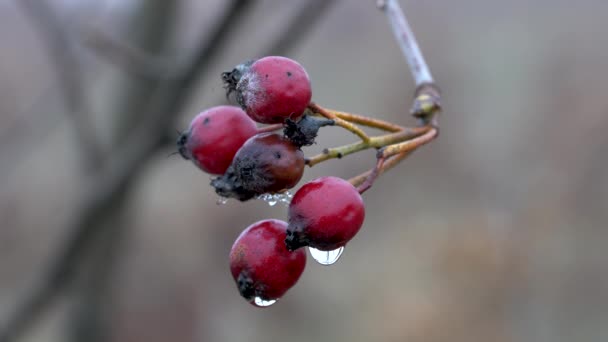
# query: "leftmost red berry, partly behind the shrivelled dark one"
{"type": "Point", "coordinates": [215, 136]}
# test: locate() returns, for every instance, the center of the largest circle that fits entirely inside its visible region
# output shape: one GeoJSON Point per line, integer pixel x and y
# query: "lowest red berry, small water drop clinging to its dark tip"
{"type": "Point", "coordinates": [260, 263]}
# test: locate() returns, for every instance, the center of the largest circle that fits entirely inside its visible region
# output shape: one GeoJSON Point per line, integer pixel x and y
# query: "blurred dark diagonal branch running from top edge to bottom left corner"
{"type": "Point", "coordinates": [117, 176]}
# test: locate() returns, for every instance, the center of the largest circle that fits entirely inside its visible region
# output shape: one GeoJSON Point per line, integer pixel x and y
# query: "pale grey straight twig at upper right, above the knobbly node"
{"type": "Point", "coordinates": [407, 41]}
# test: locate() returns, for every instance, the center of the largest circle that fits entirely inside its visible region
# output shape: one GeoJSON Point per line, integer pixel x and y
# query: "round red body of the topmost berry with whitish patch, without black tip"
{"type": "Point", "coordinates": [274, 89]}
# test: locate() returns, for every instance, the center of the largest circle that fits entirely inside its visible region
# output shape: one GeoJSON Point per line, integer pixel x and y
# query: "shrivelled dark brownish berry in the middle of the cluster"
{"type": "Point", "coordinates": [267, 163]}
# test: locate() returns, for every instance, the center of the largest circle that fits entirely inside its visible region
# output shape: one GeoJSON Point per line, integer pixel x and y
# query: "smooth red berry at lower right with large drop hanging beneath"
{"type": "Point", "coordinates": [324, 214]}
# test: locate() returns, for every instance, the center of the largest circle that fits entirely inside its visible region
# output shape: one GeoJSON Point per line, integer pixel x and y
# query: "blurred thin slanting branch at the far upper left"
{"type": "Point", "coordinates": [69, 74]}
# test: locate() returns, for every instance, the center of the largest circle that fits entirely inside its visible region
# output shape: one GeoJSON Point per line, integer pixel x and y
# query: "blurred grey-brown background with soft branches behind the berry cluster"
{"type": "Point", "coordinates": [493, 232]}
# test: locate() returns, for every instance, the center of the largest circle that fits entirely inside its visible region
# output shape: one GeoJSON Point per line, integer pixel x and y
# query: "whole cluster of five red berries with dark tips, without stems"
{"type": "Point", "coordinates": [267, 259]}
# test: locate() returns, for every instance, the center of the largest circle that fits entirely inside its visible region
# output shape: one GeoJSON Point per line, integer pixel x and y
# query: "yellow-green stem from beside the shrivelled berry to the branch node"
{"type": "Point", "coordinates": [374, 142]}
